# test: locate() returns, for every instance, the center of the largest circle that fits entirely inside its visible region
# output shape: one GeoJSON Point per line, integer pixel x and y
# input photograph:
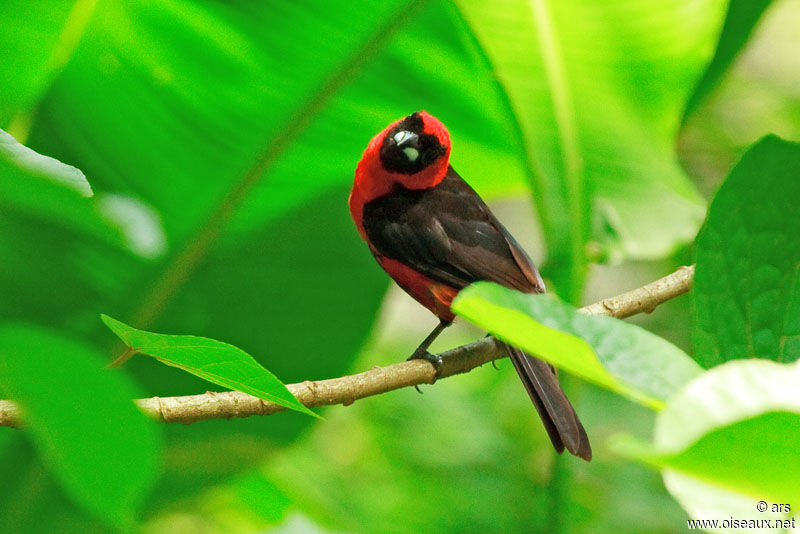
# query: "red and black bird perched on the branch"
{"type": "Point", "coordinates": [432, 233]}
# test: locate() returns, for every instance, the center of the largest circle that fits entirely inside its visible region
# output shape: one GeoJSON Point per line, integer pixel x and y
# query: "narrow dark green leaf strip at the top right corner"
{"type": "Point", "coordinates": [740, 20]}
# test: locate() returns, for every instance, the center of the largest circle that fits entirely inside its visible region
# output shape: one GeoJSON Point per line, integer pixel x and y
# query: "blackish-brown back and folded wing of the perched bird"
{"type": "Point", "coordinates": [448, 234]}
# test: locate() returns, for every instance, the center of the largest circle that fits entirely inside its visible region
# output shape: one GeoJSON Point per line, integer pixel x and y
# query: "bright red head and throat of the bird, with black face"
{"type": "Point", "coordinates": [413, 152]}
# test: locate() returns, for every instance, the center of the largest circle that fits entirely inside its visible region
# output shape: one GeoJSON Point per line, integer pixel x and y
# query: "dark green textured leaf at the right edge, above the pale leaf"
{"type": "Point", "coordinates": [747, 280]}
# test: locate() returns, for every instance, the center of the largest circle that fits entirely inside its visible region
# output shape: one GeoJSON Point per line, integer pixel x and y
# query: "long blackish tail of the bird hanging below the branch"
{"type": "Point", "coordinates": [559, 418]}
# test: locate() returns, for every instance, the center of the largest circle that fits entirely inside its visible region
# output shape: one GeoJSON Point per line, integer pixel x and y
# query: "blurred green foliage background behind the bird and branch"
{"type": "Point", "coordinates": [220, 140]}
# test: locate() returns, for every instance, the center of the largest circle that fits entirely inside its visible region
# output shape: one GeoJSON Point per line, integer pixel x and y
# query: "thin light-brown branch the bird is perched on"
{"type": "Point", "coordinates": [348, 389]}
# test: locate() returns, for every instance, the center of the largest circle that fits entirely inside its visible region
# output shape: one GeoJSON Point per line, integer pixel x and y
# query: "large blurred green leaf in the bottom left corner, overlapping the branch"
{"type": "Point", "coordinates": [82, 419]}
